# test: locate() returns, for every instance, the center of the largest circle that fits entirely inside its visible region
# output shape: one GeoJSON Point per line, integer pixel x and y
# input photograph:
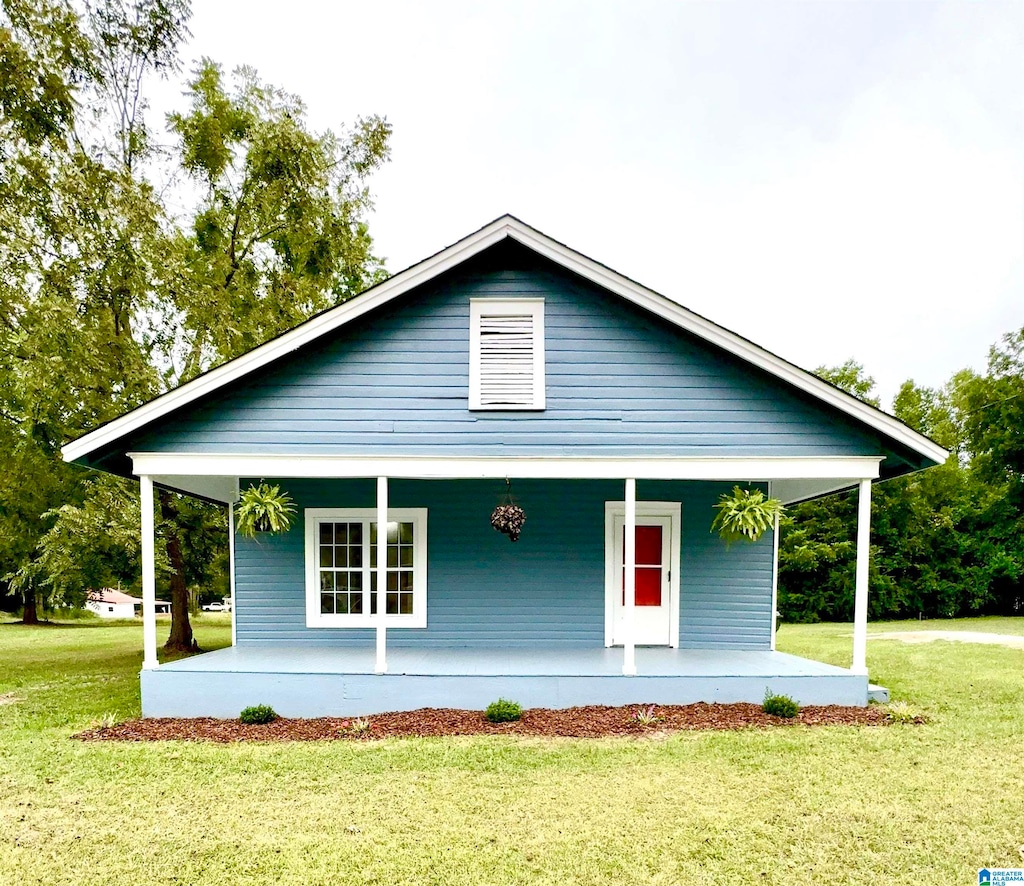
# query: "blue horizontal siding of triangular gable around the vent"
{"type": "Point", "coordinates": [620, 382]}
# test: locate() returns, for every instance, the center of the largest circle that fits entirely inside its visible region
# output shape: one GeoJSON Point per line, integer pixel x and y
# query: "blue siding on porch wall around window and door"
{"type": "Point", "coordinates": [547, 589]}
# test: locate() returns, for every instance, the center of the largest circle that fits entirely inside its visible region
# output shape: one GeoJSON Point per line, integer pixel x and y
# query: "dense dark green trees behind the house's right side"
{"type": "Point", "coordinates": [945, 542]}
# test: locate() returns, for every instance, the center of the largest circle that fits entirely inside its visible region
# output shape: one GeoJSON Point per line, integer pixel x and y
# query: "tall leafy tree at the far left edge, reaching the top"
{"type": "Point", "coordinates": [81, 241]}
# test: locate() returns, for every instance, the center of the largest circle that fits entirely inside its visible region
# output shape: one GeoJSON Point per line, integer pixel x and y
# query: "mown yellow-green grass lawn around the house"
{"type": "Point", "coordinates": [929, 805]}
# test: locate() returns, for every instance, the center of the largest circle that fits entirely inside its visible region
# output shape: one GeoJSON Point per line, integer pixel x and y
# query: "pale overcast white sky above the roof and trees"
{"type": "Point", "coordinates": [831, 181]}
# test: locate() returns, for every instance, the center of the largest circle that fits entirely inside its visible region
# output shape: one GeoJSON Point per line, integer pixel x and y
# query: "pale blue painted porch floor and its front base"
{"type": "Point", "coordinates": [311, 682]}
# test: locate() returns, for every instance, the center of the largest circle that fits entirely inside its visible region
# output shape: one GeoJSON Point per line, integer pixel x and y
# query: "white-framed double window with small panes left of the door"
{"type": "Point", "coordinates": [342, 568]}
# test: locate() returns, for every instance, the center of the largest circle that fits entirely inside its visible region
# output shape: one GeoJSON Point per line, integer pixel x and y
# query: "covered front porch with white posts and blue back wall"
{"type": "Point", "coordinates": [464, 655]}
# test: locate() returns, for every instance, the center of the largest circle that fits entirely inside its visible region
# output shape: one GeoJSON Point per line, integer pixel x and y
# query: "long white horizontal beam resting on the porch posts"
{"type": "Point", "coordinates": [527, 468]}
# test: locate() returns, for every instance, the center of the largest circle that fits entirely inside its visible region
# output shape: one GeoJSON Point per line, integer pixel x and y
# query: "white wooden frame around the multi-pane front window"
{"type": "Point", "coordinates": [317, 619]}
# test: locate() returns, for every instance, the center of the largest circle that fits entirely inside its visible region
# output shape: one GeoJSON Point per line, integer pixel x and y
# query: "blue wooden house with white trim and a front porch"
{"type": "Point", "coordinates": [617, 416]}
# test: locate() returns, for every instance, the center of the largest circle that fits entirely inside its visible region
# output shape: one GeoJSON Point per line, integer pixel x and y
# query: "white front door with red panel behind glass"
{"type": "Point", "coordinates": [653, 617]}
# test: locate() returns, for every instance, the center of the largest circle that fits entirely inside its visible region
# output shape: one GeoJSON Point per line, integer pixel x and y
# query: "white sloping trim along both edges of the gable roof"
{"type": "Point", "coordinates": [506, 227]}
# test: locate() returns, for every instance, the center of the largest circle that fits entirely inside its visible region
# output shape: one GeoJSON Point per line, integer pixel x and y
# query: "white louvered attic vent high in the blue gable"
{"type": "Point", "coordinates": [506, 354]}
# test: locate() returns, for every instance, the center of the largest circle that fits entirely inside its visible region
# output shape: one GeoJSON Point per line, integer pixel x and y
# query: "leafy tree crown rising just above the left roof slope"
{"type": "Point", "coordinates": [281, 232]}
